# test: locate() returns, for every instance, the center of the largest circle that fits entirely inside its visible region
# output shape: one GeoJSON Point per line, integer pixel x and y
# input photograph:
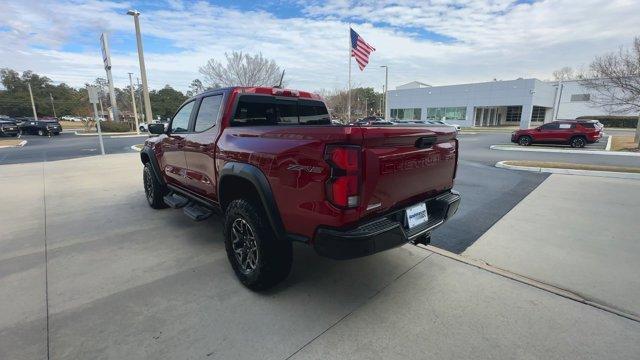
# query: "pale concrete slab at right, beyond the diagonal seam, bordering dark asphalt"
{"type": "Point", "coordinates": [578, 233]}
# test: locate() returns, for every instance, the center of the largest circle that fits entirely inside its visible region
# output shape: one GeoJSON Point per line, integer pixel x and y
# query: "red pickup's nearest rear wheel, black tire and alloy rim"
{"type": "Point", "coordinates": [259, 259]}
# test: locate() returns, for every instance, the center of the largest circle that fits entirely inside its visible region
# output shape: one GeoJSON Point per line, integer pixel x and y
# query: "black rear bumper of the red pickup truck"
{"type": "Point", "coordinates": [385, 232]}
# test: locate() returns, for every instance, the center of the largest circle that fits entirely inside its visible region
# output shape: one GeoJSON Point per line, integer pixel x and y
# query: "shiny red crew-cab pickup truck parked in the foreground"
{"type": "Point", "coordinates": [272, 162]}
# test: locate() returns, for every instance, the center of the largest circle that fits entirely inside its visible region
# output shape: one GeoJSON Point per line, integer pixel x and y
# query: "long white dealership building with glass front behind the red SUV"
{"type": "Point", "coordinates": [523, 102]}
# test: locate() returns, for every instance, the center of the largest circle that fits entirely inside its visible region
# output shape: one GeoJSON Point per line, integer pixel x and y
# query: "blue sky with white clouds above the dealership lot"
{"type": "Point", "coordinates": [438, 42]}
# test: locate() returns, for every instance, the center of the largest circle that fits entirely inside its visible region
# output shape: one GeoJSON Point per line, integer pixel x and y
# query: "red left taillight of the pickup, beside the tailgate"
{"type": "Point", "coordinates": [343, 188]}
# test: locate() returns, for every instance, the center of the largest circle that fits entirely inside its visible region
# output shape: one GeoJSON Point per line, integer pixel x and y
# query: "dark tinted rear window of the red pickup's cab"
{"type": "Point", "coordinates": [255, 110]}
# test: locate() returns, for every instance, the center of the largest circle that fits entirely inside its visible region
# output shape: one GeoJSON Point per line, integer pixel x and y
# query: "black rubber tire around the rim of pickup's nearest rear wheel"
{"type": "Point", "coordinates": [274, 256]}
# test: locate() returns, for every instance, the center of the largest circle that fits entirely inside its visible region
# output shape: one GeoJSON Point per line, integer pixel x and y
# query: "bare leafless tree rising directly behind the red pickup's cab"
{"type": "Point", "coordinates": [242, 70]}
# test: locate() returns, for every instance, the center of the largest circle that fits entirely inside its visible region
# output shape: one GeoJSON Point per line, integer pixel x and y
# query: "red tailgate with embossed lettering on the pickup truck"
{"type": "Point", "coordinates": [403, 165]}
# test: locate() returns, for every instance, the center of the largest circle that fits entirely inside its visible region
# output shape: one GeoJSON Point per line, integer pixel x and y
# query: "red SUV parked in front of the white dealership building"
{"type": "Point", "coordinates": [576, 133]}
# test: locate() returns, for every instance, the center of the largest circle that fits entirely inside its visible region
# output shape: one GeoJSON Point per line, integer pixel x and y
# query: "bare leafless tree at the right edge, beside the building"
{"type": "Point", "coordinates": [615, 80]}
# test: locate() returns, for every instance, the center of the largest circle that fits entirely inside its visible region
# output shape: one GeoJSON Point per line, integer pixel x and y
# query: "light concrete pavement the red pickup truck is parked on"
{"type": "Point", "coordinates": [88, 270]}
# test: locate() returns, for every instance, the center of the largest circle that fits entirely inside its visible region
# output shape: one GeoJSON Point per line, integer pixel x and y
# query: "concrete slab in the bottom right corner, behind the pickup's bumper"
{"type": "Point", "coordinates": [443, 309]}
